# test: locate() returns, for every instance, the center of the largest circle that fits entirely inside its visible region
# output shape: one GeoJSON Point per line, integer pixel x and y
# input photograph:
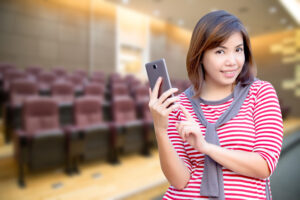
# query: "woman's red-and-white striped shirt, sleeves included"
{"type": "Point", "coordinates": [256, 128]}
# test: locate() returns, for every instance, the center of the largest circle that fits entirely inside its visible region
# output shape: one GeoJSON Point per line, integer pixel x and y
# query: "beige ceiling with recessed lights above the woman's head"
{"type": "Point", "coordinates": [259, 16]}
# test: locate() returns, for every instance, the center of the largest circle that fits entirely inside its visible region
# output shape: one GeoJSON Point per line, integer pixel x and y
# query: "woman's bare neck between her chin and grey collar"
{"type": "Point", "coordinates": [213, 92]}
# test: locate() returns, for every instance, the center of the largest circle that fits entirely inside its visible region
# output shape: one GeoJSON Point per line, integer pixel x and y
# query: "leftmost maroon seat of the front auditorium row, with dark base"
{"type": "Point", "coordinates": [40, 144]}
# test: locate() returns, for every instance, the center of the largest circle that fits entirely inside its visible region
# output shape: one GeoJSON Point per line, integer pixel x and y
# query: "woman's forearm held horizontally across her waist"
{"type": "Point", "coordinates": [242, 162]}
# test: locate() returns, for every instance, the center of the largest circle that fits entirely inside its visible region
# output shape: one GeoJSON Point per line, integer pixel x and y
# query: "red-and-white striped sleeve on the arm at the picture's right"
{"type": "Point", "coordinates": [268, 125]}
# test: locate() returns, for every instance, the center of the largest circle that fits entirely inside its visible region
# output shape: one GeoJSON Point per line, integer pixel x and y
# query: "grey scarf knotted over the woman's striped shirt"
{"type": "Point", "coordinates": [212, 181]}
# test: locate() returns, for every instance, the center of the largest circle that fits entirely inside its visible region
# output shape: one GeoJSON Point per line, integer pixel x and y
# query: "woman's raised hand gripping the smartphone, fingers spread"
{"type": "Point", "coordinates": [160, 107]}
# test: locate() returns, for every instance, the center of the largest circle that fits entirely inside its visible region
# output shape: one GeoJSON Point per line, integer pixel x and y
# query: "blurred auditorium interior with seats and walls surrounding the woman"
{"type": "Point", "coordinates": [74, 120]}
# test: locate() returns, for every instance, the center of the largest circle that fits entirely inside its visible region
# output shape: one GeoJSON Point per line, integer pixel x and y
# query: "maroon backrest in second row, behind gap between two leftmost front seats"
{"type": "Point", "coordinates": [63, 91]}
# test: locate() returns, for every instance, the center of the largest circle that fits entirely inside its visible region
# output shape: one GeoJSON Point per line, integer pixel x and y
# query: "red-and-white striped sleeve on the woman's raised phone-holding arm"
{"type": "Point", "coordinates": [176, 140]}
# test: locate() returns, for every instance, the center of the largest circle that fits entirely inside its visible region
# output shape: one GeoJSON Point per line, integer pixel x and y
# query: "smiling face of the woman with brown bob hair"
{"type": "Point", "coordinates": [224, 63]}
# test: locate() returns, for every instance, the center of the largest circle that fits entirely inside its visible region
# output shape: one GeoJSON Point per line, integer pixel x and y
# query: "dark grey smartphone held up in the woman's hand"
{"type": "Point", "coordinates": [155, 69]}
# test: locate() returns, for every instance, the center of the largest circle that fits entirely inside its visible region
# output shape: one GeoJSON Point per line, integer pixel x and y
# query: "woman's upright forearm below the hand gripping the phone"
{"type": "Point", "coordinates": [172, 166]}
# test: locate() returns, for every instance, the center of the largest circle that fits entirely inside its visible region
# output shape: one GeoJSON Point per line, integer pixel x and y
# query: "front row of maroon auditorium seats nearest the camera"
{"type": "Point", "coordinates": [43, 143]}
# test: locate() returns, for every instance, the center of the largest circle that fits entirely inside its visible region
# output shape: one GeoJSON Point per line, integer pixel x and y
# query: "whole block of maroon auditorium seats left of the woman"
{"type": "Point", "coordinates": [102, 117]}
